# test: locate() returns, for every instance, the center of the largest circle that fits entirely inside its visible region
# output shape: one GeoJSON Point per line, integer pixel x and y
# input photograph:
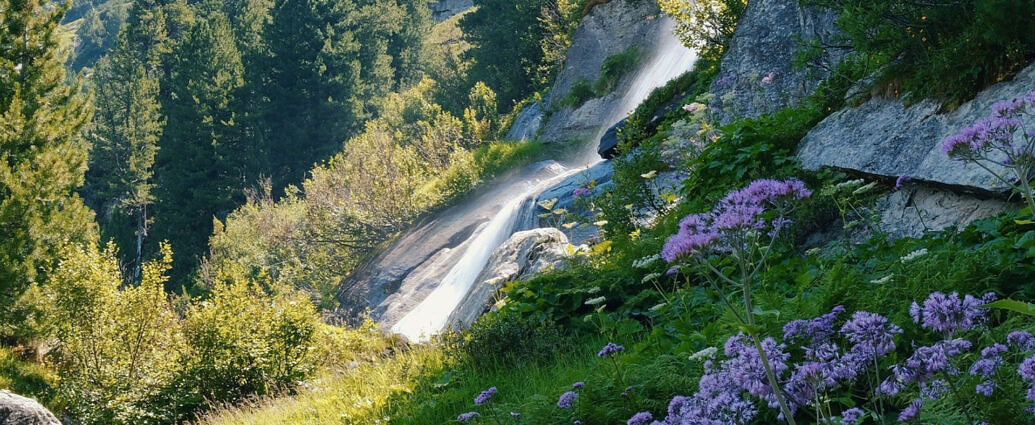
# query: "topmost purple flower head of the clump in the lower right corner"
{"type": "Point", "coordinates": [950, 314]}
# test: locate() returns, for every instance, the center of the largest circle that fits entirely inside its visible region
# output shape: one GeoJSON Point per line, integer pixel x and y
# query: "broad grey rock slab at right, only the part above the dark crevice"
{"type": "Point", "coordinates": [888, 138]}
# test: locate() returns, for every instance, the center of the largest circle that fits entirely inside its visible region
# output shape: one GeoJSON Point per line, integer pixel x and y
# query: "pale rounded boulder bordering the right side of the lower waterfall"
{"type": "Point", "coordinates": [522, 257]}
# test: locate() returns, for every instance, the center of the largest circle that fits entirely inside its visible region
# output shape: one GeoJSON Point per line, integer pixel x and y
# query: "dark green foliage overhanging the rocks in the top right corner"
{"type": "Point", "coordinates": [947, 50]}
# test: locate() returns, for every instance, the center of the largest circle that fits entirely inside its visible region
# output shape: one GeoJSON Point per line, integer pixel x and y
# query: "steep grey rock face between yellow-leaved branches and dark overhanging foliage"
{"type": "Point", "coordinates": [757, 74]}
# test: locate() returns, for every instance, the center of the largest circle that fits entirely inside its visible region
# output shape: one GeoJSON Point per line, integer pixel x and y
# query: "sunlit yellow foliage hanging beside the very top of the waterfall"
{"type": "Point", "coordinates": [705, 25]}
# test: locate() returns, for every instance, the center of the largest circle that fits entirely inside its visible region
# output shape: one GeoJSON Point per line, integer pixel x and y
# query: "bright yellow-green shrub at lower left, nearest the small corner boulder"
{"type": "Point", "coordinates": [122, 349]}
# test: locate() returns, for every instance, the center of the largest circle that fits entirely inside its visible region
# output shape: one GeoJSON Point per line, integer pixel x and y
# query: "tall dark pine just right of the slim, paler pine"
{"type": "Point", "coordinates": [202, 166]}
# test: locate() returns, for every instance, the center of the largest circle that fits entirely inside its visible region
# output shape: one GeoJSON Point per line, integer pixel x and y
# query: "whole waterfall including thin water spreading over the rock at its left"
{"type": "Point", "coordinates": [434, 271]}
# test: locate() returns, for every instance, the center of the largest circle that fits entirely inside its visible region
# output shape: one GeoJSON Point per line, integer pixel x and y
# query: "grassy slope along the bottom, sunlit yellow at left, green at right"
{"type": "Point", "coordinates": [425, 387]}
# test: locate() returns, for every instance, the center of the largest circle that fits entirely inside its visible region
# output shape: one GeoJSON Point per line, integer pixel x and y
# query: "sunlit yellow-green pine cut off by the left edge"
{"type": "Point", "coordinates": [43, 157]}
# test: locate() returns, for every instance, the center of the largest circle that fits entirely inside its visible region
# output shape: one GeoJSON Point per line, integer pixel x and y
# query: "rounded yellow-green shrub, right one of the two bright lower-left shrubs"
{"type": "Point", "coordinates": [247, 340]}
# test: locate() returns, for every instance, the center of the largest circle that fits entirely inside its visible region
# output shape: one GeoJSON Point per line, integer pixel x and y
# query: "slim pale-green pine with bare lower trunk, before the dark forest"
{"type": "Point", "coordinates": [127, 128]}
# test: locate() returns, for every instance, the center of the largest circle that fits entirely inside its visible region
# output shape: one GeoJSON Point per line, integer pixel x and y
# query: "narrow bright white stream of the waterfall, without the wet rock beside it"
{"type": "Point", "coordinates": [669, 59]}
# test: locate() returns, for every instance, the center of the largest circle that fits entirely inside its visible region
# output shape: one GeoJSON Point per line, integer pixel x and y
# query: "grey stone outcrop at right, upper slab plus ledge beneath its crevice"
{"type": "Point", "coordinates": [886, 138]}
